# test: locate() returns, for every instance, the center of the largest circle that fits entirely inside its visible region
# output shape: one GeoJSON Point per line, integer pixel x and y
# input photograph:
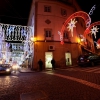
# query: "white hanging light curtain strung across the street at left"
{"type": "Point", "coordinates": [15, 32]}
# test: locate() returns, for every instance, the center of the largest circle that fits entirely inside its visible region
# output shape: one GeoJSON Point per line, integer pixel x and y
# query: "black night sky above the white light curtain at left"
{"type": "Point", "coordinates": [14, 11]}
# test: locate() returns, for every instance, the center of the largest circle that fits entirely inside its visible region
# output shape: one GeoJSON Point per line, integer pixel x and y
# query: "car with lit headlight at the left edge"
{"type": "Point", "coordinates": [5, 69]}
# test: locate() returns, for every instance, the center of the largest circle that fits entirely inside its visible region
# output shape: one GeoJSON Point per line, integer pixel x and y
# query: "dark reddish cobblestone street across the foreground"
{"type": "Point", "coordinates": [59, 84]}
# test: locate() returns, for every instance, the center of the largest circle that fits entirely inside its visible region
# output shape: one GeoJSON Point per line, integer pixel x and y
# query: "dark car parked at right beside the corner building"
{"type": "Point", "coordinates": [88, 60]}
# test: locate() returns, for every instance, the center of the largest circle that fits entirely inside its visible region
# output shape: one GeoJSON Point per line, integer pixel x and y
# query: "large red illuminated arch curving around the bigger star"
{"type": "Point", "coordinates": [81, 14]}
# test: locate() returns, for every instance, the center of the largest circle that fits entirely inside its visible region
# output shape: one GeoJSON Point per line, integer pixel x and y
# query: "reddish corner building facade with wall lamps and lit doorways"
{"type": "Point", "coordinates": [46, 18]}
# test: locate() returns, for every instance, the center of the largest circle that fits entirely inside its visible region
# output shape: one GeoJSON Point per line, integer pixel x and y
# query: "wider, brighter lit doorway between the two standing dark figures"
{"type": "Point", "coordinates": [48, 58]}
